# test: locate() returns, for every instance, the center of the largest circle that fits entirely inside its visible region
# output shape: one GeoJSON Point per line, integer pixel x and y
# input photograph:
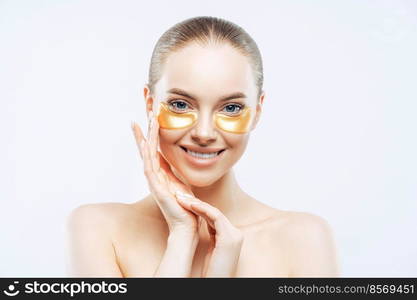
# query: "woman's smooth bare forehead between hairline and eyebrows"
{"type": "Point", "coordinates": [208, 71]}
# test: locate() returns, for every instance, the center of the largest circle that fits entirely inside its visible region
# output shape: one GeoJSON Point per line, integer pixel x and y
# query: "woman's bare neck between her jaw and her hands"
{"type": "Point", "coordinates": [224, 194]}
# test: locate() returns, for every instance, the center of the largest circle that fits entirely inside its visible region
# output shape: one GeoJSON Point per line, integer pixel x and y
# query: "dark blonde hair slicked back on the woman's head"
{"type": "Point", "coordinates": [204, 30]}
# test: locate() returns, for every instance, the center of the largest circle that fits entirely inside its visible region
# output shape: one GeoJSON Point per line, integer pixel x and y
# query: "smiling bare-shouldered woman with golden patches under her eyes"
{"type": "Point", "coordinates": [203, 98]}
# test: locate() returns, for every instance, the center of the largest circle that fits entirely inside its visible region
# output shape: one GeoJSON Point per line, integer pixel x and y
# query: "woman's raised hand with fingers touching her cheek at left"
{"type": "Point", "coordinates": [162, 182]}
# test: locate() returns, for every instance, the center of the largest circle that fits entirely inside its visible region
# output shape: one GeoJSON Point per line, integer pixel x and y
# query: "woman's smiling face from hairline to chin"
{"type": "Point", "coordinates": [196, 79]}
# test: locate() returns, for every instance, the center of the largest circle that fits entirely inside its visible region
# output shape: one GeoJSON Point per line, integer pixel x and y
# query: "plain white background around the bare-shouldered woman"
{"type": "Point", "coordinates": [337, 137]}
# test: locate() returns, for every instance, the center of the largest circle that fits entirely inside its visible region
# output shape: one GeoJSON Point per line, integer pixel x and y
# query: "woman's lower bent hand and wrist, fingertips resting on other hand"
{"type": "Point", "coordinates": [225, 239]}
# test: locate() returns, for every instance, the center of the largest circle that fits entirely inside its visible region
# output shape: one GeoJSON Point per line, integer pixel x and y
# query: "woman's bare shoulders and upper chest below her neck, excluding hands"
{"type": "Point", "coordinates": [128, 240]}
